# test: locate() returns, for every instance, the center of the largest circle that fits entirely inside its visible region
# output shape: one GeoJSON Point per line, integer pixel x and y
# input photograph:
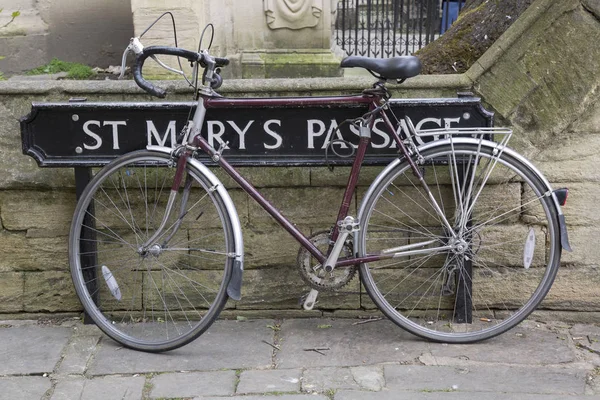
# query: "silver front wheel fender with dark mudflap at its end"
{"type": "Point", "coordinates": [234, 286]}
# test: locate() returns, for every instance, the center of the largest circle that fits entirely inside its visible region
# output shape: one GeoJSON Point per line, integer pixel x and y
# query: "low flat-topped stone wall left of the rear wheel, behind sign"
{"type": "Point", "coordinates": [36, 204]}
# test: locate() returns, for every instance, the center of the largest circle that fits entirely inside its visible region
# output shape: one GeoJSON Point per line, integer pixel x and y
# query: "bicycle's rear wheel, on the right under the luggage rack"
{"type": "Point", "coordinates": [471, 259]}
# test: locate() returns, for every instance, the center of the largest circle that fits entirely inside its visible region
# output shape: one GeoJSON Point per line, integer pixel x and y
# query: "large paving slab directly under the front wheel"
{"type": "Point", "coordinates": [227, 344]}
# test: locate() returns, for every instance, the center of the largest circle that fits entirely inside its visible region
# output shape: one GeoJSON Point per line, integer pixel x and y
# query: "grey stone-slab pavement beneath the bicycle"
{"type": "Point", "coordinates": [300, 359]}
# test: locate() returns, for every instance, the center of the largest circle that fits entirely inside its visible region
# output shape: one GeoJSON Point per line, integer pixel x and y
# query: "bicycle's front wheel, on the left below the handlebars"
{"type": "Point", "coordinates": [164, 295]}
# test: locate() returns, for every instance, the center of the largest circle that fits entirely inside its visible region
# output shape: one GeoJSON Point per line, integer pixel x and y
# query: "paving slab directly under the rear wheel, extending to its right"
{"type": "Point", "coordinates": [517, 346]}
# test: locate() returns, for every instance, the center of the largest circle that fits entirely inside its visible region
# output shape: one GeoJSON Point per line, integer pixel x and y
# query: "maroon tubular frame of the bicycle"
{"type": "Point", "coordinates": [373, 101]}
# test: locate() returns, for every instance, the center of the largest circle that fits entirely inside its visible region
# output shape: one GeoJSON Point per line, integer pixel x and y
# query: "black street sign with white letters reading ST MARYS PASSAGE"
{"type": "Point", "coordinates": [92, 134]}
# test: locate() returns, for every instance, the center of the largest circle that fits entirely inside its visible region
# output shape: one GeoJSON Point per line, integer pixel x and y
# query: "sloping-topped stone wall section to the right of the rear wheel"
{"type": "Point", "coordinates": [542, 78]}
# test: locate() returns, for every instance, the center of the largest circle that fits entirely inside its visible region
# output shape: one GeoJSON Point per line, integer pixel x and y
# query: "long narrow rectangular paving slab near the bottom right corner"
{"type": "Point", "coordinates": [479, 378]}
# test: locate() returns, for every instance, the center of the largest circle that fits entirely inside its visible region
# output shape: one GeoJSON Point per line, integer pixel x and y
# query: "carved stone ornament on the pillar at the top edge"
{"type": "Point", "coordinates": [293, 14]}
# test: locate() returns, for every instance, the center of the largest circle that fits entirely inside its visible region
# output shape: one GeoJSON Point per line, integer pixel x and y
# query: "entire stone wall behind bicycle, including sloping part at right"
{"type": "Point", "coordinates": [541, 78]}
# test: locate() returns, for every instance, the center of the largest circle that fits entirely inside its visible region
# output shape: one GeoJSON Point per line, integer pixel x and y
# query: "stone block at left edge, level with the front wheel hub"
{"type": "Point", "coordinates": [20, 253]}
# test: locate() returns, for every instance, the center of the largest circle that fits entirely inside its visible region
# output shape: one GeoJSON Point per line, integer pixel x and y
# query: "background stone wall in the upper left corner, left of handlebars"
{"type": "Point", "coordinates": [93, 32]}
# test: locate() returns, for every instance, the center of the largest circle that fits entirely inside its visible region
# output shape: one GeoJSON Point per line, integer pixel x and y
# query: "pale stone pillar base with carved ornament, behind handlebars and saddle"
{"type": "Point", "coordinates": [262, 38]}
